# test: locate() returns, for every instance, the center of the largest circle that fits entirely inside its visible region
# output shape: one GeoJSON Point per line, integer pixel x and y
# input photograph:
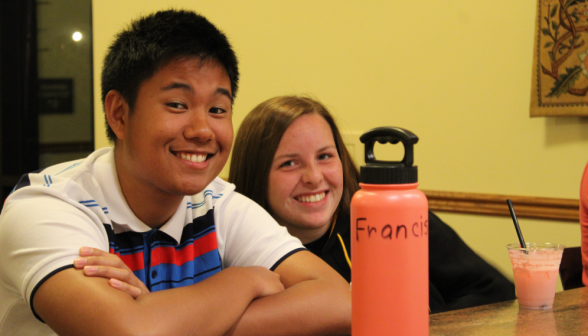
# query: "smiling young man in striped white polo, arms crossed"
{"type": "Point", "coordinates": [204, 251]}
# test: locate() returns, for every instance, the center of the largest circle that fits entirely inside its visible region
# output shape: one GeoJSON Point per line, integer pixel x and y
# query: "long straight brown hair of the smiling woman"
{"type": "Point", "coordinates": [258, 139]}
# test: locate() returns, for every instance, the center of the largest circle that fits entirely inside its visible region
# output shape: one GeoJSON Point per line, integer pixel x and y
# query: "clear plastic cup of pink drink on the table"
{"type": "Point", "coordinates": [535, 271]}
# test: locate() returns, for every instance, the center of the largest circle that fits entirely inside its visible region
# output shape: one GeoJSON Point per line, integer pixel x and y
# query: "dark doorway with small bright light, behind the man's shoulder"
{"type": "Point", "coordinates": [46, 101]}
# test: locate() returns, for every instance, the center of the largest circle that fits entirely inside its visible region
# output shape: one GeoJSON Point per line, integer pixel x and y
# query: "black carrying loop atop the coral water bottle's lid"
{"type": "Point", "coordinates": [391, 135]}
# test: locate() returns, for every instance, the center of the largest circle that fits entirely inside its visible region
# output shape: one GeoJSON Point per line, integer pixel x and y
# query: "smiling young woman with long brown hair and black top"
{"type": "Point", "coordinates": [290, 158]}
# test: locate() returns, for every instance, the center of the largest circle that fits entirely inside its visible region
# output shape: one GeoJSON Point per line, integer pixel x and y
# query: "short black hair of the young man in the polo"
{"type": "Point", "coordinates": [155, 40]}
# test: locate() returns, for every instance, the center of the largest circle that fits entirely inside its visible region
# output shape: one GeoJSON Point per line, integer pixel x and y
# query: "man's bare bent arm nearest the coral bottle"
{"type": "Point", "coordinates": [317, 301]}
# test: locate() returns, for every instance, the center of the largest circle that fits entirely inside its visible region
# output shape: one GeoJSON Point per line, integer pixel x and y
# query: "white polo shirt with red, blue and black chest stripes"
{"type": "Point", "coordinates": [54, 212]}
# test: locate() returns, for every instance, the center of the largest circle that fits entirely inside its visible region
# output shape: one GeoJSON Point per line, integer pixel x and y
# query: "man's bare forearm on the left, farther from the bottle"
{"type": "Point", "coordinates": [73, 304]}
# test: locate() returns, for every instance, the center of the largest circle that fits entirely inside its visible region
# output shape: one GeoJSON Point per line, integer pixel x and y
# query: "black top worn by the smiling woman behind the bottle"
{"type": "Point", "coordinates": [458, 277]}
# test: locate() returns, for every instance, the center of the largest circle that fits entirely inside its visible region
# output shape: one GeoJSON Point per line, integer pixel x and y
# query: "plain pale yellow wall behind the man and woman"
{"type": "Point", "coordinates": [457, 73]}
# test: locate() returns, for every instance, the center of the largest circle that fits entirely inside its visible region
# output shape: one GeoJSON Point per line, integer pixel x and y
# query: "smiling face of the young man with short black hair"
{"type": "Point", "coordinates": [179, 135]}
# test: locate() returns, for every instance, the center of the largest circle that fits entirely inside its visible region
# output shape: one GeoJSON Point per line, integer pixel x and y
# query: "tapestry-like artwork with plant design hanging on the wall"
{"type": "Point", "coordinates": [560, 59]}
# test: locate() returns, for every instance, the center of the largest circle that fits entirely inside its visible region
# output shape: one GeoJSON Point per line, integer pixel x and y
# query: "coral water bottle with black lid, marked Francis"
{"type": "Point", "coordinates": [389, 243]}
